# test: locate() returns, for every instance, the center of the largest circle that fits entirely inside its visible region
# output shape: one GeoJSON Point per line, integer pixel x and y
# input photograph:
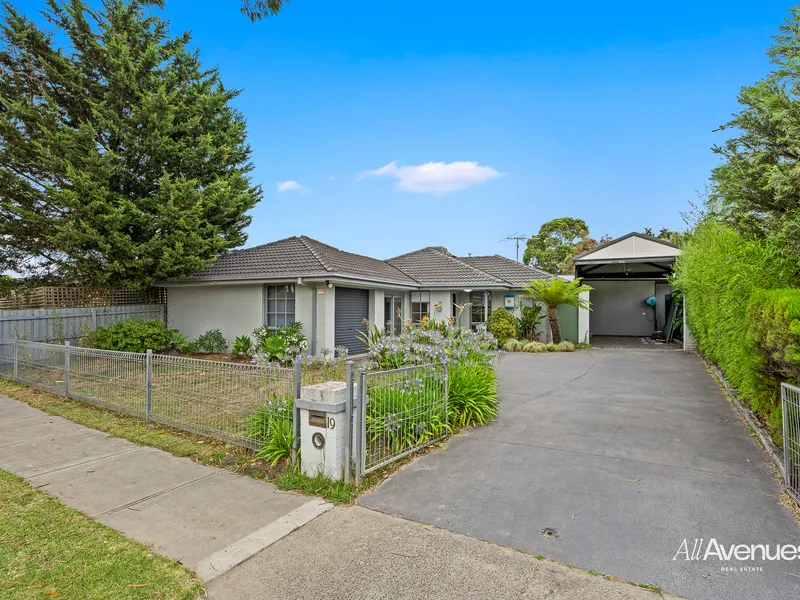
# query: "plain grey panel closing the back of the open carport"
{"type": "Point", "coordinates": [618, 308]}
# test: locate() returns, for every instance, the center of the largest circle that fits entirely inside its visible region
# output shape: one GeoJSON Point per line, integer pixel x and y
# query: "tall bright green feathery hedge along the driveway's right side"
{"type": "Point", "coordinates": [720, 272]}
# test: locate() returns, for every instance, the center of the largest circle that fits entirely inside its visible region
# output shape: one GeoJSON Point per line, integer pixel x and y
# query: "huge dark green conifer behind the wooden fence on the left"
{"type": "Point", "coordinates": [122, 160]}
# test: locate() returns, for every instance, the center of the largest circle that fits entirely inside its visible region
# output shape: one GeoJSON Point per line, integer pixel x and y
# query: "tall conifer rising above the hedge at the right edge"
{"type": "Point", "coordinates": [757, 187]}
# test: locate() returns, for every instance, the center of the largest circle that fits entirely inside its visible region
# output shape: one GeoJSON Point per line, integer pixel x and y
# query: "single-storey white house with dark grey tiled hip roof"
{"type": "Point", "coordinates": [333, 292]}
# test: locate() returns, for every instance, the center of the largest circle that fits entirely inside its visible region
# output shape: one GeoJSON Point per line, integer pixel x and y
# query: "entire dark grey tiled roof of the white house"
{"type": "Point", "coordinates": [429, 267]}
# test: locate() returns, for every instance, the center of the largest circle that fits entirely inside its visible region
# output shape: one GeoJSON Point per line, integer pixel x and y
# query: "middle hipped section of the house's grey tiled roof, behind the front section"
{"type": "Point", "coordinates": [431, 266]}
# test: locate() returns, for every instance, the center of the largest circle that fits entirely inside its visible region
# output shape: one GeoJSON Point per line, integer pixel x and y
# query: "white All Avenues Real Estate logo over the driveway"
{"type": "Point", "coordinates": [701, 550]}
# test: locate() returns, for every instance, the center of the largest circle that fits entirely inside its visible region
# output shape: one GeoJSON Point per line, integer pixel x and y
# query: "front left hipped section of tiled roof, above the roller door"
{"type": "Point", "coordinates": [294, 257]}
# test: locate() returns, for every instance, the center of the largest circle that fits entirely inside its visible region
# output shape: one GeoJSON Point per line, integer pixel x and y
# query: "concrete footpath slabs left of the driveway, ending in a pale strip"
{"type": "Point", "coordinates": [206, 518]}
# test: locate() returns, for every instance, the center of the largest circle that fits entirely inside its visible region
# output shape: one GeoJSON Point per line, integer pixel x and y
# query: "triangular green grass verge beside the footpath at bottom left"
{"type": "Point", "coordinates": [50, 550]}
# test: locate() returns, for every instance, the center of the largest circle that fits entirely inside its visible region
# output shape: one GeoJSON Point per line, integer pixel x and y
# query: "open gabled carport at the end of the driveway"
{"type": "Point", "coordinates": [624, 272]}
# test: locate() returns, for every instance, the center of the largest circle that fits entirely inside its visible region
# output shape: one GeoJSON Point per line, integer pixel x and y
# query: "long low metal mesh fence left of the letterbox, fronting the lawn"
{"type": "Point", "coordinates": [242, 404]}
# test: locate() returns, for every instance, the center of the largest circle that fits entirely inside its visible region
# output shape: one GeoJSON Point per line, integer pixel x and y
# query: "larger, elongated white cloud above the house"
{"type": "Point", "coordinates": [434, 176]}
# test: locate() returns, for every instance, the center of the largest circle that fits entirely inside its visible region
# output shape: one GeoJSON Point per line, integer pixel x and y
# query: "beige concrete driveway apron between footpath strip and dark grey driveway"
{"type": "Point", "coordinates": [353, 553]}
